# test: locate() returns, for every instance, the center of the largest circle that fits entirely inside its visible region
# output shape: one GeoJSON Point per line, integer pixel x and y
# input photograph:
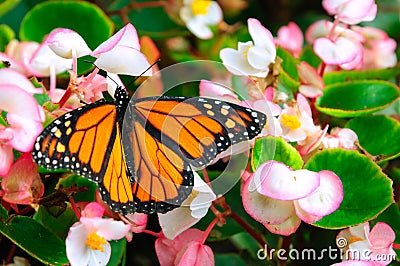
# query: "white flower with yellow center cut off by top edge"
{"type": "Point", "coordinates": [198, 15]}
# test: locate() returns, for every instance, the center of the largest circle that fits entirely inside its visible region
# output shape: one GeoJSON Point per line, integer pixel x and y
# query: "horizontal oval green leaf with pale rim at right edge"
{"type": "Point", "coordinates": [357, 98]}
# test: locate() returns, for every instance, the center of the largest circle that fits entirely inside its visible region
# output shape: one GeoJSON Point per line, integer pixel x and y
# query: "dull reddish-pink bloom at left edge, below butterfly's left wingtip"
{"type": "Point", "coordinates": [22, 184]}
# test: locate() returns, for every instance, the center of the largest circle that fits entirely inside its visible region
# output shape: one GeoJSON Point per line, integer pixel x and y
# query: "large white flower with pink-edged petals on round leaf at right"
{"type": "Point", "coordinates": [280, 198]}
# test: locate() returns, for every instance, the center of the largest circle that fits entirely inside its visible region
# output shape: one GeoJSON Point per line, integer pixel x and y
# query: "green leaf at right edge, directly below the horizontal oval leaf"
{"type": "Point", "coordinates": [378, 135]}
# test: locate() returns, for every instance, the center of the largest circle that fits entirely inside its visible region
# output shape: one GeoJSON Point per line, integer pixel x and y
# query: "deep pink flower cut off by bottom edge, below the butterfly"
{"type": "Point", "coordinates": [186, 249]}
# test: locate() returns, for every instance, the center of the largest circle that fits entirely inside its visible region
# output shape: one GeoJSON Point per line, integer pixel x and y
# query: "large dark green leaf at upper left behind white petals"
{"type": "Point", "coordinates": [95, 28]}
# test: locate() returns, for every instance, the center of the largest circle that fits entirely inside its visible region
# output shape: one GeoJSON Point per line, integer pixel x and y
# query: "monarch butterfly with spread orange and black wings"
{"type": "Point", "coordinates": [150, 168]}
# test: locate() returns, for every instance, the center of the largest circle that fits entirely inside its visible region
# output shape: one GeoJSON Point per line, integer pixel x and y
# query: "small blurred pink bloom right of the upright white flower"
{"type": "Point", "coordinates": [291, 38]}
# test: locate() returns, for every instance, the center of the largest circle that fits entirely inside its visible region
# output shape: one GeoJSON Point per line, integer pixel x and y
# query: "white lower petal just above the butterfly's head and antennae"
{"type": "Point", "coordinates": [116, 61]}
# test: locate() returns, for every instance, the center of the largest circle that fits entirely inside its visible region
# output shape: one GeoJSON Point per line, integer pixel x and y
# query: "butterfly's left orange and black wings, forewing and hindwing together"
{"type": "Point", "coordinates": [87, 141]}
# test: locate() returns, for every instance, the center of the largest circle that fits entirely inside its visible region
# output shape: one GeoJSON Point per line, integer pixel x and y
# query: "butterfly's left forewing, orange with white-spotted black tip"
{"type": "Point", "coordinates": [78, 140]}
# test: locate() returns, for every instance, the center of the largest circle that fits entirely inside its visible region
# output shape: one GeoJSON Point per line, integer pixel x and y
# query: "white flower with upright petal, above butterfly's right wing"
{"type": "Point", "coordinates": [253, 57]}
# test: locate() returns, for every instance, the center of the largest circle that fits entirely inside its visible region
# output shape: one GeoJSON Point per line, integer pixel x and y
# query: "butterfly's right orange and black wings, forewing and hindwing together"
{"type": "Point", "coordinates": [163, 137]}
